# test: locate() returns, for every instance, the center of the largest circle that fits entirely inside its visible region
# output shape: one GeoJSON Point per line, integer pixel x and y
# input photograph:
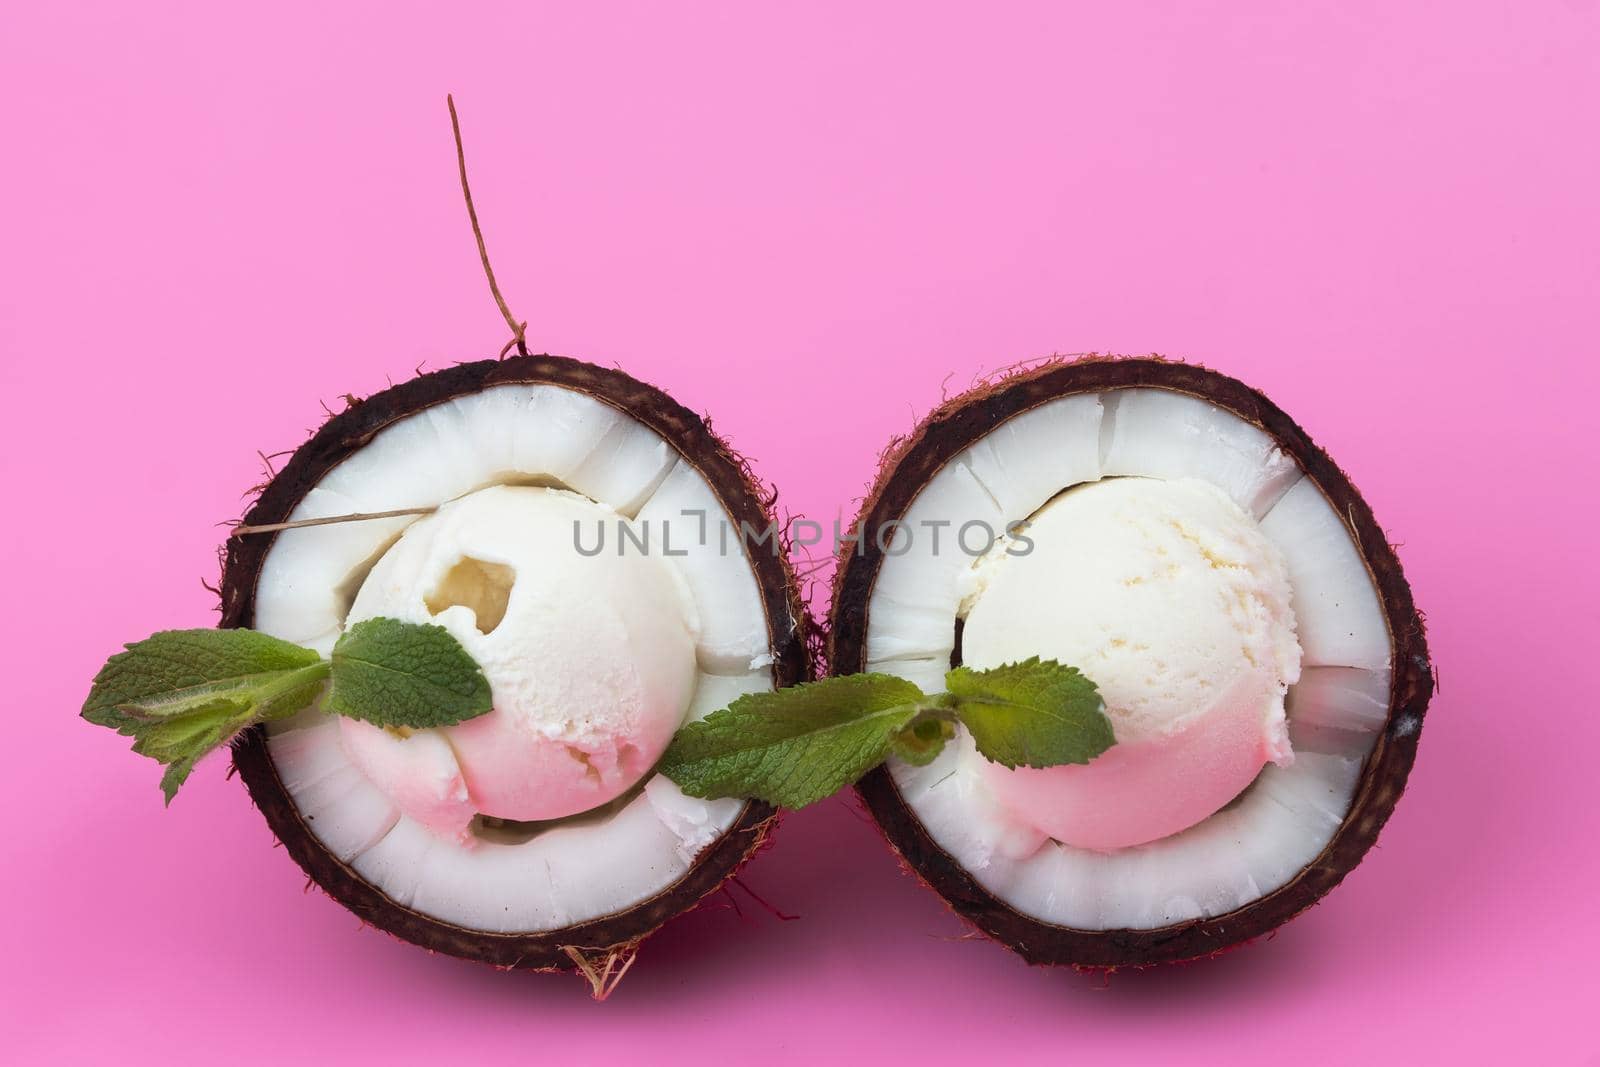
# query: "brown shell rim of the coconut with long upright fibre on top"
{"type": "Point", "coordinates": [742, 495]}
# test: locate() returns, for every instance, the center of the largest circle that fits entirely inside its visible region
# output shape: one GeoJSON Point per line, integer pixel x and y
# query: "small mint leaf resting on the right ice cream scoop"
{"type": "Point", "coordinates": [1031, 714]}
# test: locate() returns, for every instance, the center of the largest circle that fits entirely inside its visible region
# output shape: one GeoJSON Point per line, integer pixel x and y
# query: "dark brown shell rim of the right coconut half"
{"type": "Point", "coordinates": [948, 431]}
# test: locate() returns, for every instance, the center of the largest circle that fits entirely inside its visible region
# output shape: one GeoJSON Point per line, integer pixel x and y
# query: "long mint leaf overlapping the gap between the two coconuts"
{"type": "Point", "coordinates": [794, 746]}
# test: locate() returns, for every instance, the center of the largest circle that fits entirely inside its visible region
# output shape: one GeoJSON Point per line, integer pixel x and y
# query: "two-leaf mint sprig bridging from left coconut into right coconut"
{"type": "Point", "coordinates": [798, 746]}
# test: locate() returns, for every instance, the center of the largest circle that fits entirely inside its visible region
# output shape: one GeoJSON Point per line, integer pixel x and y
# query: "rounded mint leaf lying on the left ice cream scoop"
{"type": "Point", "coordinates": [406, 674]}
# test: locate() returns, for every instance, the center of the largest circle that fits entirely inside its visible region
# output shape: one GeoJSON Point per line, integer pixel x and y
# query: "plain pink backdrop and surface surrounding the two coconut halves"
{"type": "Point", "coordinates": [804, 222]}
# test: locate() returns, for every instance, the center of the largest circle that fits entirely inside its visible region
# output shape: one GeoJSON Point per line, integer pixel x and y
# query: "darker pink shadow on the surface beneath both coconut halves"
{"type": "Point", "coordinates": [831, 890]}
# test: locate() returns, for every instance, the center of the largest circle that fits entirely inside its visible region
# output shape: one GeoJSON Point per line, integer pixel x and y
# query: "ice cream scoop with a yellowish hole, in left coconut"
{"type": "Point", "coordinates": [590, 657]}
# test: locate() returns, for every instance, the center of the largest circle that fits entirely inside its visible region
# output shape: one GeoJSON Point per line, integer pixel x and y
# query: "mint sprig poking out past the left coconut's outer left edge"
{"type": "Point", "coordinates": [185, 693]}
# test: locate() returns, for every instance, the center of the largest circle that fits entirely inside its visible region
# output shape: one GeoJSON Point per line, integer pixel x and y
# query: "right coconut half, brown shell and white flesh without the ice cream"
{"type": "Point", "coordinates": [996, 458]}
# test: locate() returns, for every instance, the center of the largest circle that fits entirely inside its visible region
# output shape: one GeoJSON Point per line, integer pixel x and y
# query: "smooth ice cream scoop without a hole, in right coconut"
{"type": "Point", "coordinates": [1175, 604]}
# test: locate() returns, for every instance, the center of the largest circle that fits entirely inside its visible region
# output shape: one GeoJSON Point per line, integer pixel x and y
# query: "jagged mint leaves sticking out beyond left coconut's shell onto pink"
{"type": "Point", "coordinates": [183, 693]}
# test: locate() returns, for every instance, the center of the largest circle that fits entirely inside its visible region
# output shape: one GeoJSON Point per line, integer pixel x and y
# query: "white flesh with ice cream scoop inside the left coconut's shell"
{"type": "Point", "coordinates": [543, 813]}
